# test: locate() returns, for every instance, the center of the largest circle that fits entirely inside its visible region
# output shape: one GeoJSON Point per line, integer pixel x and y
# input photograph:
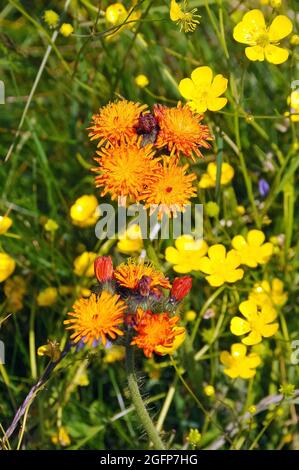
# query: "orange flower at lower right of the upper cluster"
{"type": "Point", "coordinates": [170, 190]}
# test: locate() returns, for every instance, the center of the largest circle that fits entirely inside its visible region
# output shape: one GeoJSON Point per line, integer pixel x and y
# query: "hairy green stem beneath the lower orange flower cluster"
{"type": "Point", "coordinates": [138, 401]}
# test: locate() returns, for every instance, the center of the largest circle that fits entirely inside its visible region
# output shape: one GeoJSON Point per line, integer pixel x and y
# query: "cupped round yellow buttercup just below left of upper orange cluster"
{"type": "Point", "coordinates": [84, 211]}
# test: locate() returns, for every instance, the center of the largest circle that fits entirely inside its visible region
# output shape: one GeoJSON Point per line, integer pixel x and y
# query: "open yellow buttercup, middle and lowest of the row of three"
{"type": "Point", "coordinates": [220, 266]}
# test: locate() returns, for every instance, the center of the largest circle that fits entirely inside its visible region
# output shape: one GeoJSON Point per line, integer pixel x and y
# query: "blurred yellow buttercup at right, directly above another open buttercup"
{"type": "Point", "coordinates": [263, 293]}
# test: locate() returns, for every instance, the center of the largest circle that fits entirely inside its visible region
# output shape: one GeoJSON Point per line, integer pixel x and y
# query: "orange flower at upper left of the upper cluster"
{"type": "Point", "coordinates": [115, 122]}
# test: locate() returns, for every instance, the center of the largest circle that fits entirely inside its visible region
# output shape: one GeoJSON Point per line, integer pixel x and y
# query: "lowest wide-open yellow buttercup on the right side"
{"type": "Point", "coordinates": [238, 364]}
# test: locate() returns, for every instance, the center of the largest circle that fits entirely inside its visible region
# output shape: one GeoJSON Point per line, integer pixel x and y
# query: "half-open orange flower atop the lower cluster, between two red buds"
{"type": "Point", "coordinates": [140, 277]}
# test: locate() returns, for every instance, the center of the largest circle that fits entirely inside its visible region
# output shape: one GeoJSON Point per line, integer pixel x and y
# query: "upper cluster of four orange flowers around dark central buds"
{"type": "Point", "coordinates": [139, 153]}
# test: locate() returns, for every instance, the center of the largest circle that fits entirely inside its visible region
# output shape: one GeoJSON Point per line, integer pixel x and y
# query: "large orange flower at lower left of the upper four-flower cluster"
{"type": "Point", "coordinates": [125, 168]}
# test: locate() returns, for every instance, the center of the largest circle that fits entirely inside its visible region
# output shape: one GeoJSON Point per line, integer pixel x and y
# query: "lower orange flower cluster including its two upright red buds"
{"type": "Point", "coordinates": [131, 303]}
